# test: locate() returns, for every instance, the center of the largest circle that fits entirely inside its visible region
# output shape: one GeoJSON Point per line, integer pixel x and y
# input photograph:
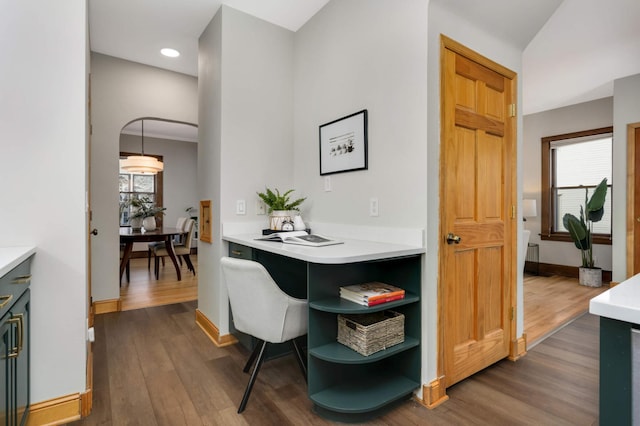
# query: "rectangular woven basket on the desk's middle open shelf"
{"type": "Point", "coordinates": [370, 333]}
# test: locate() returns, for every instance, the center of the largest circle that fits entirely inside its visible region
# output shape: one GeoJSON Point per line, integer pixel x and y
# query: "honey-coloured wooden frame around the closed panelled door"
{"type": "Point", "coordinates": [517, 348]}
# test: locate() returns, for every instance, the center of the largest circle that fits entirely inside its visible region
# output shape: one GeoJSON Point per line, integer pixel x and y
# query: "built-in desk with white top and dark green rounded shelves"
{"type": "Point", "coordinates": [342, 384]}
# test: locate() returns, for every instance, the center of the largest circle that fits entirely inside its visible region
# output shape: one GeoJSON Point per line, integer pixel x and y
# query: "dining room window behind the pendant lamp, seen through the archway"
{"type": "Point", "coordinates": [134, 185]}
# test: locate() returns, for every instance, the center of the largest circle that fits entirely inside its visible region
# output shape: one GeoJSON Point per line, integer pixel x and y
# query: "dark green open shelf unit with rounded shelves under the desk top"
{"type": "Point", "coordinates": [343, 384]}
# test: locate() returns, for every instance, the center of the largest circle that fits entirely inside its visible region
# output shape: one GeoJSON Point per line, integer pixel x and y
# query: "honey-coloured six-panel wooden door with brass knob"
{"type": "Point", "coordinates": [477, 178]}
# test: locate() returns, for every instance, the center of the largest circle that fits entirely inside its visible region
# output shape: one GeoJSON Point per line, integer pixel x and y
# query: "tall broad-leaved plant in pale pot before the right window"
{"type": "Point", "coordinates": [581, 231]}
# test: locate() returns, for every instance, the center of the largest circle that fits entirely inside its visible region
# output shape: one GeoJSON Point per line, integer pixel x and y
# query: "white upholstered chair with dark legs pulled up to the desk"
{"type": "Point", "coordinates": [262, 310]}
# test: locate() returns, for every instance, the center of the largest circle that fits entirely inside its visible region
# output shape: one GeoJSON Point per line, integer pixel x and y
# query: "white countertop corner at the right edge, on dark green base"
{"type": "Point", "coordinates": [621, 302]}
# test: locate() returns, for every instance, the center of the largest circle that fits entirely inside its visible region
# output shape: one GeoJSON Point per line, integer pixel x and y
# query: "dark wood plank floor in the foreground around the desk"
{"type": "Point", "coordinates": [154, 366]}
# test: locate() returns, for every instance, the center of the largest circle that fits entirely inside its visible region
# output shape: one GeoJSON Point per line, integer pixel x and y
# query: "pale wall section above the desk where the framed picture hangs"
{"type": "Point", "coordinates": [354, 55]}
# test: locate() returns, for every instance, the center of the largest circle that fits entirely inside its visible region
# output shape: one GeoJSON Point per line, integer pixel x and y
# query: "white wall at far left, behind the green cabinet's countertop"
{"type": "Point", "coordinates": [43, 75]}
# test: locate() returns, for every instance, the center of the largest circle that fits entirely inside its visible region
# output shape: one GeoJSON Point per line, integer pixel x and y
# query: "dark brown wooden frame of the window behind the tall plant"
{"type": "Point", "coordinates": [546, 199]}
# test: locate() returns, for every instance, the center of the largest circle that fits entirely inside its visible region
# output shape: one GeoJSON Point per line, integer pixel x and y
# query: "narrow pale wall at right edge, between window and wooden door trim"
{"type": "Point", "coordinates": [626, 110]}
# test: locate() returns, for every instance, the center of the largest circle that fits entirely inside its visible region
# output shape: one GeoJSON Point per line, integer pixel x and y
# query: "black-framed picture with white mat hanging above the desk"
{"type": "Point", "coordinates": [343, 144]}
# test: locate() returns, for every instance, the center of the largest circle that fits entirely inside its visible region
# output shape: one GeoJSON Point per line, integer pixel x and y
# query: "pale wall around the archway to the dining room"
{"type": "Point", "coordinates": [123, 91]}
